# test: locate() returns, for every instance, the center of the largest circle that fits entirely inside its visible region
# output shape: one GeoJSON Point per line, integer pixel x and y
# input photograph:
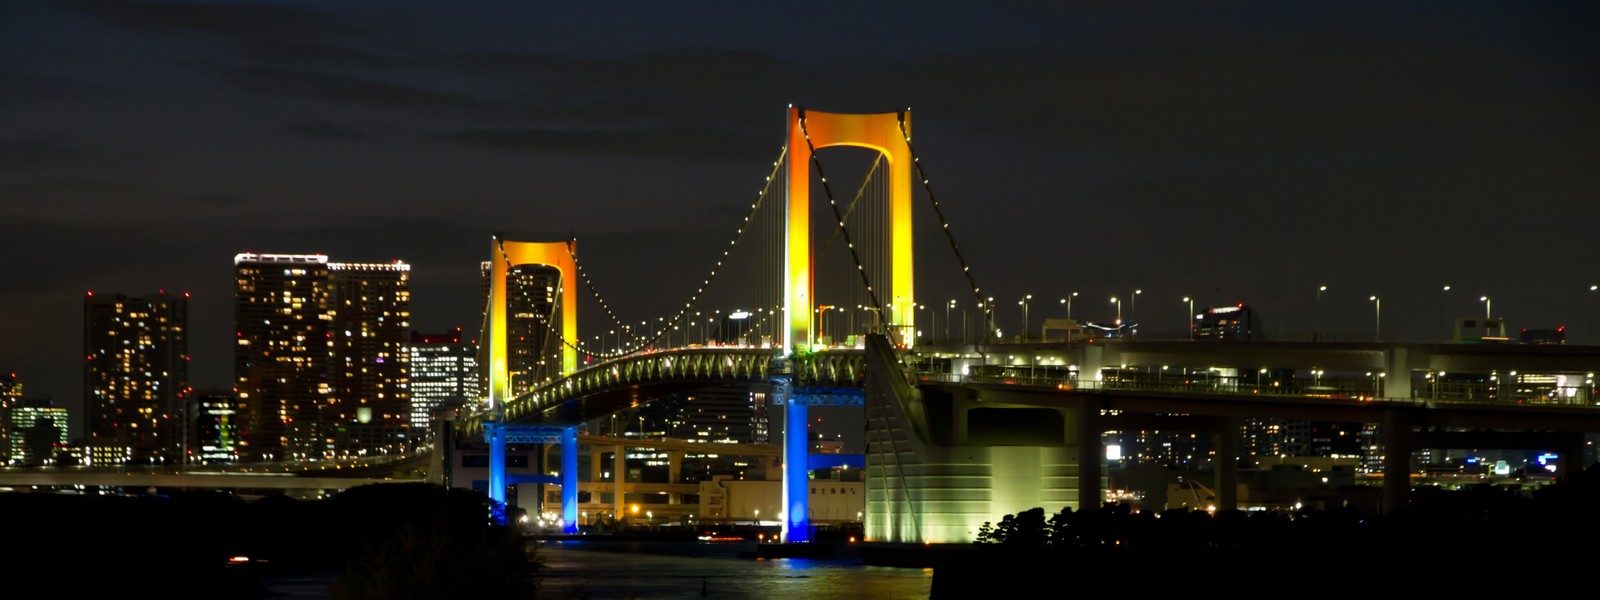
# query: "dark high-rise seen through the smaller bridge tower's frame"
{"type": "Point", "coordinates": [534, 327]}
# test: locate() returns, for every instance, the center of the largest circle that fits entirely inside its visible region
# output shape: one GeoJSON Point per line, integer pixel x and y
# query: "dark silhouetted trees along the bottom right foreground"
{"type": "Point", "coordinates": [1479, 538]}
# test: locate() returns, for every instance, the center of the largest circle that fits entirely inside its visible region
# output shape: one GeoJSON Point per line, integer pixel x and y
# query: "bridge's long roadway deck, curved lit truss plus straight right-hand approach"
{"type": "Point", "coordinates": [630, 382]}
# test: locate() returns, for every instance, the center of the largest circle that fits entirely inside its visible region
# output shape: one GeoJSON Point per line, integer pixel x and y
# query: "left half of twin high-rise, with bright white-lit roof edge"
{"type": "Point", "coordinates": [284, 348]}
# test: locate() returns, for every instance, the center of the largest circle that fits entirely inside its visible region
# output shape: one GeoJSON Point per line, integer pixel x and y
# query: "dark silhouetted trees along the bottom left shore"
{"type": "Point", "coordinates": [382, 542]}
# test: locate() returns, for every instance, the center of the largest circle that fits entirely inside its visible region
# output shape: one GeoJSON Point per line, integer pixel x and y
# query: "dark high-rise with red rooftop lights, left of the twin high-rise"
{"type": "Point", "coordinates": [137, 374]}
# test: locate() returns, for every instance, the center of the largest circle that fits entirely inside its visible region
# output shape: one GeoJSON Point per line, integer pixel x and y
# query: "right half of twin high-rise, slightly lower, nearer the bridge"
{"type": "Point", "coordinates": [372, 329]}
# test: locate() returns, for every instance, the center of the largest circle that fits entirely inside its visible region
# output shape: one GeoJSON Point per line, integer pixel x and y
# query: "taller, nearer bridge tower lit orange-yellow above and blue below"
{"type": "Point", "coordinates": [809, 130]}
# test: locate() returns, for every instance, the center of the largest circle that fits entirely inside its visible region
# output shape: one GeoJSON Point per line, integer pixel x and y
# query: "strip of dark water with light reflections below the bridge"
{"type": "Point", "coordinates": [705, 570]}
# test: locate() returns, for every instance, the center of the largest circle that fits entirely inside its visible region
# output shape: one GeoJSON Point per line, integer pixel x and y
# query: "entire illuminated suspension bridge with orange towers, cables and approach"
{"type": "Point", "coordinates": [956, 433]}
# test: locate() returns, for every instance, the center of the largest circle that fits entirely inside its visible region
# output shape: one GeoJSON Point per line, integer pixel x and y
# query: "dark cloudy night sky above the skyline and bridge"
{"type": "Point", "coordinates": [1228, 151]}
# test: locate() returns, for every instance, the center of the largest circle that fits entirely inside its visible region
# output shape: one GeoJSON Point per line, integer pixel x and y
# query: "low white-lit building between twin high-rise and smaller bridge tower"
{"type": "Point", "coordinates": [444, 374]}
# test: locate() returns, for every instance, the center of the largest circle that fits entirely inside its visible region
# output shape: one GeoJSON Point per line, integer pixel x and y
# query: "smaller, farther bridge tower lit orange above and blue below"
{"type": "Point", "coordinates": [503, 257]}
